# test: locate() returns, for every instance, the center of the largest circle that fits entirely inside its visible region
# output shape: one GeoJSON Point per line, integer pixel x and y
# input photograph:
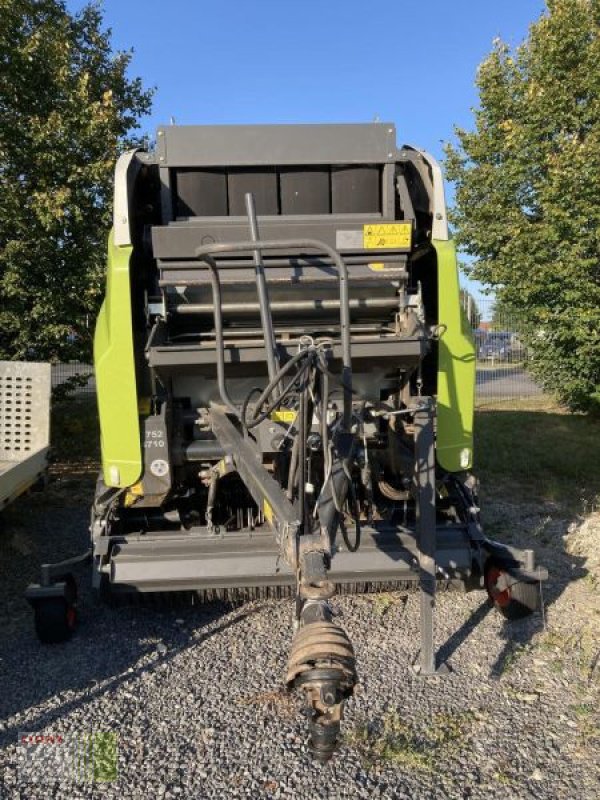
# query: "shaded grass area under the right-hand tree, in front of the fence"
{"type": "Point", "coordinates": [539, 454]}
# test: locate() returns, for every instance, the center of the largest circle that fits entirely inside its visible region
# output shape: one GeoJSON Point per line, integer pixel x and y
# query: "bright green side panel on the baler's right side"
{"type": "Point", "coordinates": [456, 368]}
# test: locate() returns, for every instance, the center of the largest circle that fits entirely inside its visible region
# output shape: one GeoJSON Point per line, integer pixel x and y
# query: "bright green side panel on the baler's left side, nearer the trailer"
{"type": "Point", "coordinates": [115, 375]}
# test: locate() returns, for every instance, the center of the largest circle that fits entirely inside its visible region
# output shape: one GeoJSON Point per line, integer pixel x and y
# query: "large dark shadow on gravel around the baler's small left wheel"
{"type": "Point", "coordinates": [111, 647]}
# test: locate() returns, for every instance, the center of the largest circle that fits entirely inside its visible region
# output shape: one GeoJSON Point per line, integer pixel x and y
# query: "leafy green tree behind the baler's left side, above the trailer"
{"type": "Point", "coordinates": [67, 109]}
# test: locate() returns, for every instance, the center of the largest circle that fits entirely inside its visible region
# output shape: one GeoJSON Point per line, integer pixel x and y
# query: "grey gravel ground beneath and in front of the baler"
{"type": "Point", "coordinates": [195, 696]}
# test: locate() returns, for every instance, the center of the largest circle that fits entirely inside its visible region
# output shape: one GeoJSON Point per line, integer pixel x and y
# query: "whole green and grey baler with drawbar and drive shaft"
{"type": "Point", "coordinates": [147, 534]}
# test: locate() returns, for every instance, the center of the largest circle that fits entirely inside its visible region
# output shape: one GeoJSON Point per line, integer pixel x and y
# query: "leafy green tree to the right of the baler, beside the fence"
{"type": "Point", "coordinates": [528, 192]}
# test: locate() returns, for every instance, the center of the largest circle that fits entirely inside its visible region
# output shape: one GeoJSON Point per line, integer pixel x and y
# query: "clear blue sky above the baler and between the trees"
{"type": "Point", "coordinates": [411, 62]}
